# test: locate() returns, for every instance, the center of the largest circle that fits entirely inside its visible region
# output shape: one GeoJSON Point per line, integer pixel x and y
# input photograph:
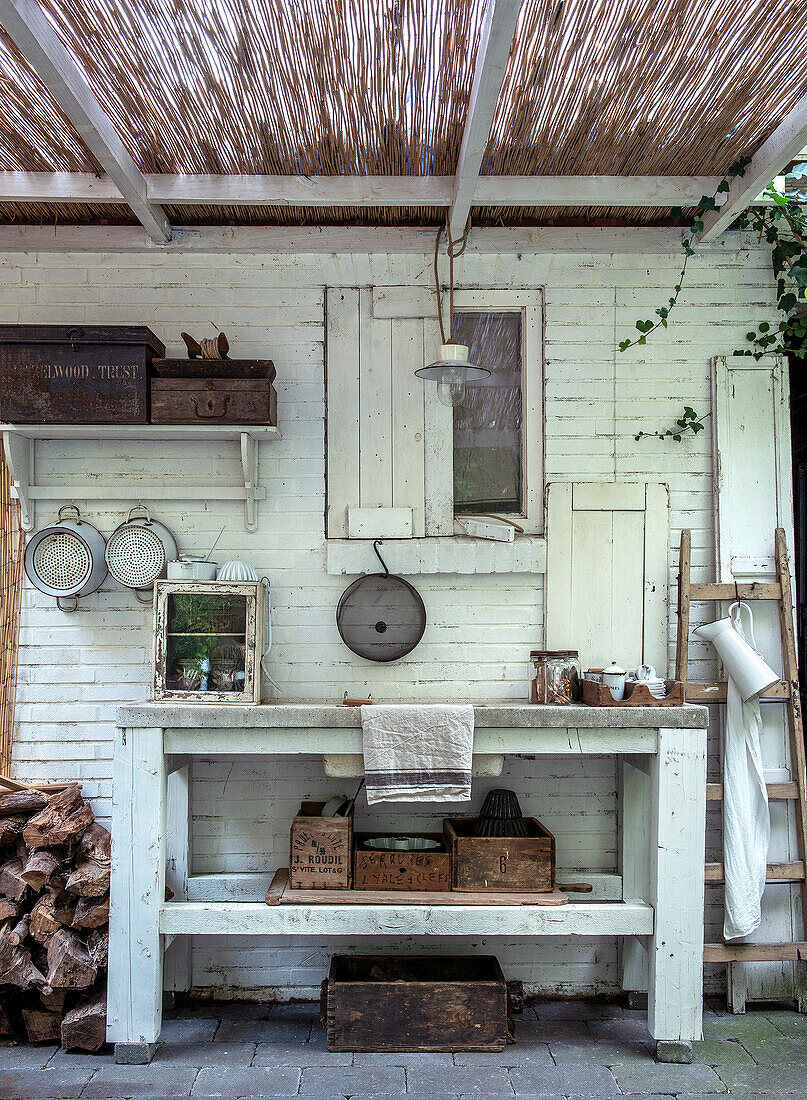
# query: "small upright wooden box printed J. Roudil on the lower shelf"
{"type": "Point", "coordinates": [320, 851]}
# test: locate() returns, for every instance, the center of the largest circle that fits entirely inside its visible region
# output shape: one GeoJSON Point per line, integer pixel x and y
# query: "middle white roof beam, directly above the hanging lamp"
{"type": "Point", "coordinates": [498, 35]}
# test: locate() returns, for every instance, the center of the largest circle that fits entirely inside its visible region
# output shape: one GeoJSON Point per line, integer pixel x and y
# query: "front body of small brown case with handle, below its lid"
{"type": "Point", "coordinates": [214, 401]}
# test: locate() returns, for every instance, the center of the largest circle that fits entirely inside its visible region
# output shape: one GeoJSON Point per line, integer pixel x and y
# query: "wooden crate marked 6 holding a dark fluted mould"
{"type": "Point", "coordinates": [494, 864]}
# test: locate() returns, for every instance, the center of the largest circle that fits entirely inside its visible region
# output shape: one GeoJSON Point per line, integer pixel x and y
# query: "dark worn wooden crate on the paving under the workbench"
{"type": "Point", "coordinates": [391, 1004]}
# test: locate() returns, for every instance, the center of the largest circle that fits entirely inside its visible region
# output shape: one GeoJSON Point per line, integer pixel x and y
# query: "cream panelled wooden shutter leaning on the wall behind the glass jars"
{"type": "Point", "coordinates": [606, 592]}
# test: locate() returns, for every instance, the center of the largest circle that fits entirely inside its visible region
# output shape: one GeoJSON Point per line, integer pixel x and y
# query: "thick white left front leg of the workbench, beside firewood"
{"type": "Point", "coordinates": [138, 892]}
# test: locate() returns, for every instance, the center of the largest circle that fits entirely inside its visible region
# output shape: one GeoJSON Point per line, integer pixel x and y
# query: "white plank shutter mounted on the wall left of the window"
{"type": "Point", "coordinates": [375, 420]}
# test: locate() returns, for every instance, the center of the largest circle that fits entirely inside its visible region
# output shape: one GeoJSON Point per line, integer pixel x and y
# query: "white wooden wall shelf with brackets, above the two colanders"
{"type": "Point", "coordinates": [20, 439]}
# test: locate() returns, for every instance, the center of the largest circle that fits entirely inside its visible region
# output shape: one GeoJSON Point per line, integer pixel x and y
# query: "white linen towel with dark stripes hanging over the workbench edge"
{"type": "Point", "coordinates": [418, 753]}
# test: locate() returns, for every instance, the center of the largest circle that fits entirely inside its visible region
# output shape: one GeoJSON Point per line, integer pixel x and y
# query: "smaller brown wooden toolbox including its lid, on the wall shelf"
{"type": "Point", "coordinates": [218, 391]}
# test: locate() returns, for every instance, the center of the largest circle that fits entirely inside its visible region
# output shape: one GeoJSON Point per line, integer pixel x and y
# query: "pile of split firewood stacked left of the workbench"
{"type": "Point", "coordinates": [54, 919]}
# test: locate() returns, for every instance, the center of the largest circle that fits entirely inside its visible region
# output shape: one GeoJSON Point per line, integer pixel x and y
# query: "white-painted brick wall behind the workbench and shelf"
{"type": "Point", "coordinates": [74, 670]}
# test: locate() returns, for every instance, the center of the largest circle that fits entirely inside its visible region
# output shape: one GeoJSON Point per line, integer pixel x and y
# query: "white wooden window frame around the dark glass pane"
{"type": "Point", "coordinates": [439, 436]}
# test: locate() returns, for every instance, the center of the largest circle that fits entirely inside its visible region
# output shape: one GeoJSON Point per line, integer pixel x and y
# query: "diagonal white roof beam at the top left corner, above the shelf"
{"type": "Point", "coordinates": [27, 25]}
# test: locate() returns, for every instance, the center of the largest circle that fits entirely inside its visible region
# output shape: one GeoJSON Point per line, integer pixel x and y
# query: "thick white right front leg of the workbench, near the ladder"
{"type": "Point", "coordinates": [678, 840]}
